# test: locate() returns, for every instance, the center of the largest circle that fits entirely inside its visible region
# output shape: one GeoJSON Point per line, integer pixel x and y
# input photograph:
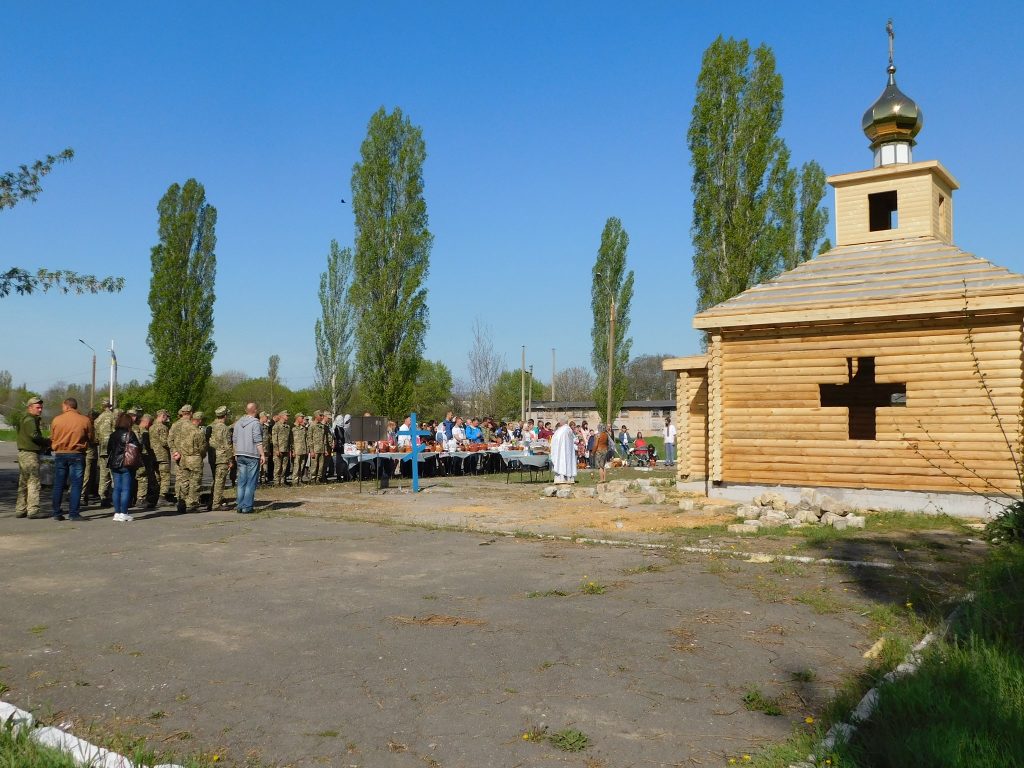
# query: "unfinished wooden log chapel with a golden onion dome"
{"type": "Point", "coordinates": [888, 370]}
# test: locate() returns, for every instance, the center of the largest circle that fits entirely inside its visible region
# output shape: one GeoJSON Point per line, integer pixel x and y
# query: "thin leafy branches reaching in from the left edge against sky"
{"type": "Point", "coordinates": [25, 184]}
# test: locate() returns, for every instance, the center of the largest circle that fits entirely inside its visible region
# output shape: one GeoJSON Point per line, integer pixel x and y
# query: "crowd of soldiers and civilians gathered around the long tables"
{"type": "Point", "coordinates": [123, 459]}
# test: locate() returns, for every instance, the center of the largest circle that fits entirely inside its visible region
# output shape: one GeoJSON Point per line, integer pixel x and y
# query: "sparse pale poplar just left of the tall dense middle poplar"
{"type": "Point", "coordinates": [334, 330]}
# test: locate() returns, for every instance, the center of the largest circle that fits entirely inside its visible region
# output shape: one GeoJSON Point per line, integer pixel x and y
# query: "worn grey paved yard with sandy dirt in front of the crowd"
{"type": "Point", "coordinates": [346, 629]}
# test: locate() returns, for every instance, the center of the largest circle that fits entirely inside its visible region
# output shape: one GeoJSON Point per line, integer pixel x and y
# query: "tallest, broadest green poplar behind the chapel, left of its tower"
{"type": "Point", "coordinates": [744, 190]}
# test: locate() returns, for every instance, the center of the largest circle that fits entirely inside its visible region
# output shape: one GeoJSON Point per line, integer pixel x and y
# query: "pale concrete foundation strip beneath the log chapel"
{"type": "Point", "coordinates": [873, 500]}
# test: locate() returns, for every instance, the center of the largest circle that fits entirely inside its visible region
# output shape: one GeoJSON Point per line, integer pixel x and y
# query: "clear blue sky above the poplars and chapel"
{"type": "Point", "coordinates": [541, 121]}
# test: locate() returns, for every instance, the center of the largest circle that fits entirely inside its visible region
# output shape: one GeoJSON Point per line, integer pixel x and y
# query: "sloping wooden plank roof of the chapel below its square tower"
{"type": "Point", "coordinates": [895, 279]}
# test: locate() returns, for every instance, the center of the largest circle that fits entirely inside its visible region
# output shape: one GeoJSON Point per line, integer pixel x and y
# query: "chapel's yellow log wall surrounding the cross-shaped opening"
{"type": "Point", "coordinates": [948, 438]}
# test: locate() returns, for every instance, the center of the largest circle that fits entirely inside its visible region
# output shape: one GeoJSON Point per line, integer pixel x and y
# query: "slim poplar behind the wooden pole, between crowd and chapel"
{"type": "Point", "coordinates": [611, 281]}
